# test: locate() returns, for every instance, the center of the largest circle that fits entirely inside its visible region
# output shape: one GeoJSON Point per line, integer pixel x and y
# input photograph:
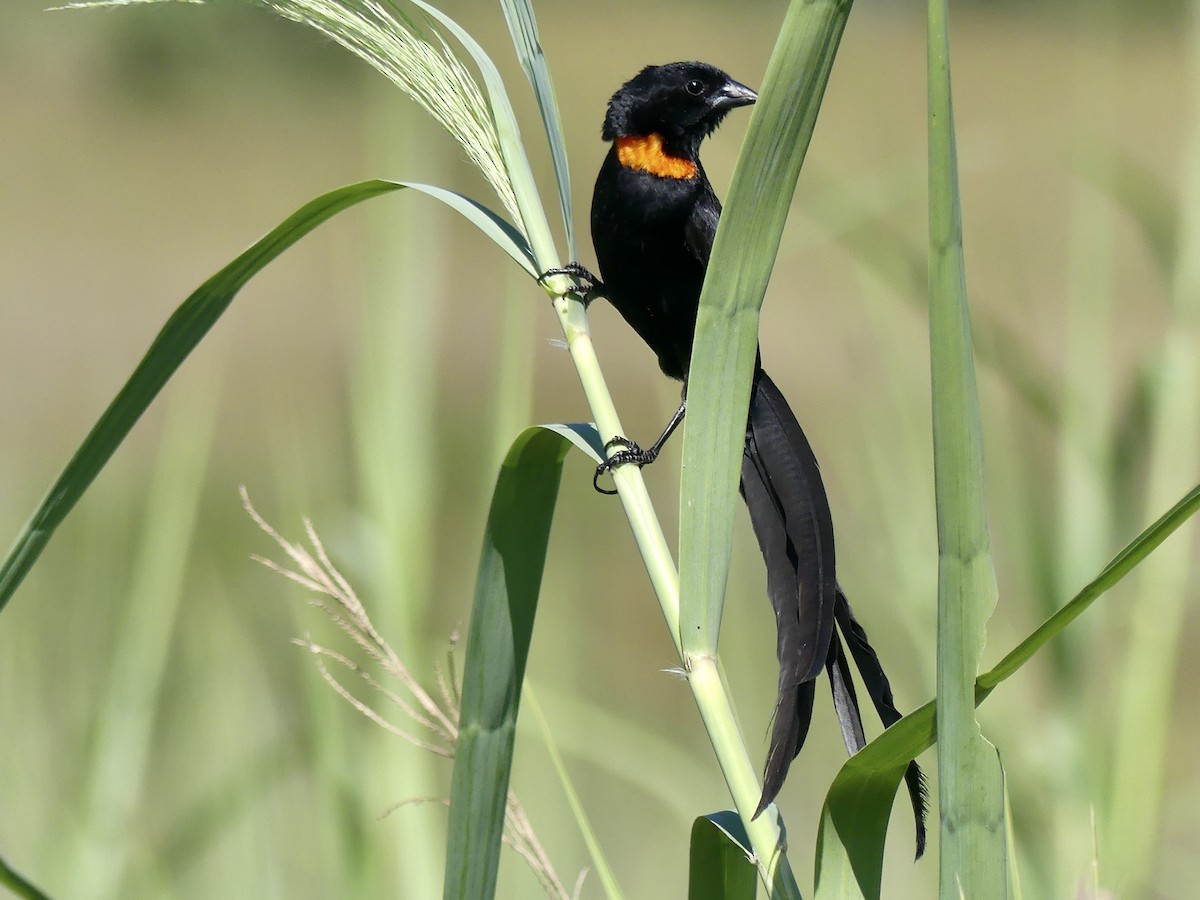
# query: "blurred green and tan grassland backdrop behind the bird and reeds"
{"type": "Point", "coordinates": [163, 736]}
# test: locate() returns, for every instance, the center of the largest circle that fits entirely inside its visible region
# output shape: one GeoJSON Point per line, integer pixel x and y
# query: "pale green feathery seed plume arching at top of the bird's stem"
{"type": "Point", "coordinates": [380, 33]}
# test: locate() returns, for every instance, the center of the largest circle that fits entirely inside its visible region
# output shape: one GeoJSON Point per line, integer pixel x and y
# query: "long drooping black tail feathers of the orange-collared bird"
{"type": "Point", "coordinates": [790, 514]}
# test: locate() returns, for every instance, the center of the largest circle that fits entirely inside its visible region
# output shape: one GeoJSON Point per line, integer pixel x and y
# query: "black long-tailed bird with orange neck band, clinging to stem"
{"type": "Point", "coordinates": [655, 215]}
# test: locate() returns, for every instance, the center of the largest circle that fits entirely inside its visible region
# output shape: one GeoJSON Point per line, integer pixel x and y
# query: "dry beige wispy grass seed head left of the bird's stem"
{"type": "Point", "coordinates": [440, 718]}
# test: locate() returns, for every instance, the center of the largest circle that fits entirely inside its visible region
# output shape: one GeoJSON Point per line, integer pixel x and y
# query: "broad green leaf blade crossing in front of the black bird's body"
{"type": "Point", "coordinates": [728, 323]}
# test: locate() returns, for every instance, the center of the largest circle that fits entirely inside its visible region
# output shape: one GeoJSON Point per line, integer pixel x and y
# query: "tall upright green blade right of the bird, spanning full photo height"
{"type": "Point", "coordinates": [970, 779]}
